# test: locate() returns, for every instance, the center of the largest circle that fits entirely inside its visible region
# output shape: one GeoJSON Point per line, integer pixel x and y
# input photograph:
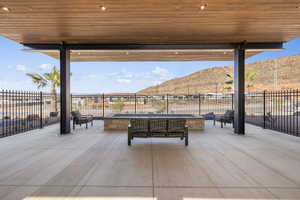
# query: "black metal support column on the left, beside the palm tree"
{"type": "Point", "coordinates": [65, 96]}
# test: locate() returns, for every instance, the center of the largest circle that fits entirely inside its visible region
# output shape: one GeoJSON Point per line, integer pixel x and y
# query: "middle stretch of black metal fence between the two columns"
{"type": "Point", "coordinates": [103, 105]}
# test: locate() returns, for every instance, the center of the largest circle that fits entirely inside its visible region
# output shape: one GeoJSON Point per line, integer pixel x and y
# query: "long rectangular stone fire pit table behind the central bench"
{"type": "Point", "coordinates": [119, 122]}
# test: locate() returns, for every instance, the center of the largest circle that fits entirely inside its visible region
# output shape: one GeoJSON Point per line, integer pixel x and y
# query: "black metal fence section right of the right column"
{"type": "Point", "coordinates": [277, 110]}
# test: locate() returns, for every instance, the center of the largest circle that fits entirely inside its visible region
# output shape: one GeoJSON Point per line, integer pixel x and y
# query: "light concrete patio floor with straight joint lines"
{"type": "Point", "coordinates": [217, 164]}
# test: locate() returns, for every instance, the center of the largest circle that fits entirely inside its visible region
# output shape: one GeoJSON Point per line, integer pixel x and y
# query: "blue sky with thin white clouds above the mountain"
{"type": "Point", "coordinates": [99, 77]}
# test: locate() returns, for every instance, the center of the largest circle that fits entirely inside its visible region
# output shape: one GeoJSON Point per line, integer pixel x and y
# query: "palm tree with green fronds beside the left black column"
{"type": "Point", "coordinates": [51, 79]}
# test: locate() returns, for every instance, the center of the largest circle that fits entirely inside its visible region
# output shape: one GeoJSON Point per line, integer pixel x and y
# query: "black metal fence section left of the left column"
{"type": "Point", "coordinates": [23, 111]}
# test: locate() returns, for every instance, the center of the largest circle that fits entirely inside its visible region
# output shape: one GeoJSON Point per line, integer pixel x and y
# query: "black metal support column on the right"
{"type": "Point", "coordinates": [239, 90]}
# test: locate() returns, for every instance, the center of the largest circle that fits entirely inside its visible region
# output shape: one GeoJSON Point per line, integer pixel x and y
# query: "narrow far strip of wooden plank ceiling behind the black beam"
{"type": "Point", "coordinates": [133, 55]}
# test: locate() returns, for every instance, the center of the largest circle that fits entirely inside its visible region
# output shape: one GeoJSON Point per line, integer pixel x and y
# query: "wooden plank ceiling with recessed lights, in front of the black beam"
{"type": "Point", "coordinates": [150, 21]}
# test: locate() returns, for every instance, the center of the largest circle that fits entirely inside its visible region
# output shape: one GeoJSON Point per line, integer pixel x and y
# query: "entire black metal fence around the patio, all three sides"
{"type": "Point", "coordinates": [23, 111]}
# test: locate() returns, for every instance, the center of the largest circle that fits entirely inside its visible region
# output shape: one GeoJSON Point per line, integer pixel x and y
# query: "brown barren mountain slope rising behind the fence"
{"type": "Point", "coordinates": [275, 74]}
